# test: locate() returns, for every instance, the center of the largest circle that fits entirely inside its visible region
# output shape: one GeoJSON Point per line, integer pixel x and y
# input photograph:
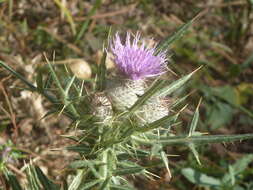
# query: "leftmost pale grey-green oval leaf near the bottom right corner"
{"type": "Point", "coordinates": [199, 178]}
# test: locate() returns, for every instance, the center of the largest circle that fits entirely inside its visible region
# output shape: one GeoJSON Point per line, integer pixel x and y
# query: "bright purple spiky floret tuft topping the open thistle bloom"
{"type": "Point", "coordinates": [135, 60]}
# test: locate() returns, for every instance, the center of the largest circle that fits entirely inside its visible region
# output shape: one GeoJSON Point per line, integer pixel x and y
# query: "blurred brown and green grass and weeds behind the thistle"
{"type": "Point", "coordinates": [220, 40]}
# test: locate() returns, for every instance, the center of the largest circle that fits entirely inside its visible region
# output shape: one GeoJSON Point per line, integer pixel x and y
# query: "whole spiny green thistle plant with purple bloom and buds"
{"type": "Point", "coordinates": [124, 119]}
